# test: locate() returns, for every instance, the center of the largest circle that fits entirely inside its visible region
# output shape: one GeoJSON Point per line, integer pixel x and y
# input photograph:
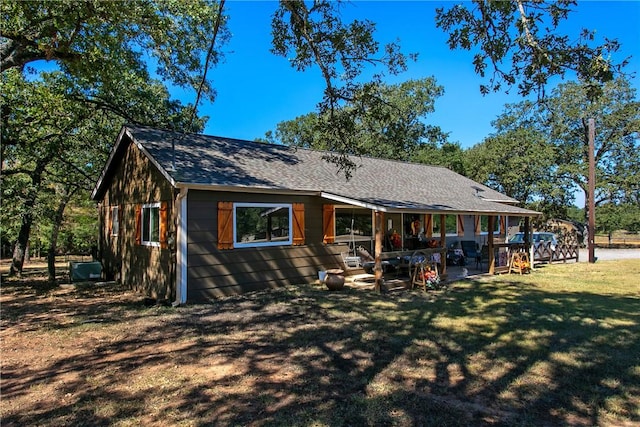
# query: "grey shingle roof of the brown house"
{"type": "Point", "coordinates": [204, 161]}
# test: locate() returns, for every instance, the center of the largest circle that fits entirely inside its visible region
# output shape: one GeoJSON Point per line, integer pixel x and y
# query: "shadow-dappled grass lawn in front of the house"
{"type": "Point", "coordinates": [560, 346]}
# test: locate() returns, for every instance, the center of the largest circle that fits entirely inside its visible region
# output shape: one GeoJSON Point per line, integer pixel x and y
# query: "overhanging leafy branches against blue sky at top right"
{"type": "Point", "coordinates": [519, 43]}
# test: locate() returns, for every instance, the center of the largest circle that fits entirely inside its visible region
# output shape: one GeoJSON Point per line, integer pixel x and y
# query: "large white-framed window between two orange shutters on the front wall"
{"type": "Point", "coordinates": [262, 224]}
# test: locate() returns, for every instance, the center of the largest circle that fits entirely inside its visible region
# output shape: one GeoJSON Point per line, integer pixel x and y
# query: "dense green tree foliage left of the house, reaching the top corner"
{"type": "Point", "coordinates": [57, 128]}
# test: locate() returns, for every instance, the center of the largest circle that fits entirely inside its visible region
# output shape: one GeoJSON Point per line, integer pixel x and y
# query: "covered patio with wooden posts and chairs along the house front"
{"type": "Point", "coordinates": [387, 239]}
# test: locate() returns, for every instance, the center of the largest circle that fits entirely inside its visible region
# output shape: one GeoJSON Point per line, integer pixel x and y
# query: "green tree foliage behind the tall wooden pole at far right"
{"type": "Point", "coordinates": [617, 118]}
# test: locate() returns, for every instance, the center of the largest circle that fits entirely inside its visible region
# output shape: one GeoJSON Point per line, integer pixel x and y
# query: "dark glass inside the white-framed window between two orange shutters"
{"type": "Point", "coordinates": [261, 224]}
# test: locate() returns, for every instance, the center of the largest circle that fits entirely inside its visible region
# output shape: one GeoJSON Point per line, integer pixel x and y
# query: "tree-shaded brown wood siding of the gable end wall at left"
{"type": "Point", "coordinates": [148, 269]}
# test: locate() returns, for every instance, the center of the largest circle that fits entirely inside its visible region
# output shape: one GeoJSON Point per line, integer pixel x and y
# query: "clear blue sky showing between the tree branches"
{"type": "Point", "coordinates": [256, 89]}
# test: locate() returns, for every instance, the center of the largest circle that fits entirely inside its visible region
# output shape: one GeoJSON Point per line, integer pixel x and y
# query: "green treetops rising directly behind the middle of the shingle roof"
{"type": "Point", "coordinates": [391, 127]}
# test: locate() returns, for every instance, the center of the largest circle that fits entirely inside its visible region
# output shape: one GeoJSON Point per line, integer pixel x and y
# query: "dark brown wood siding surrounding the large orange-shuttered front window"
{"type": "Point", "coordinates": [214, 272]}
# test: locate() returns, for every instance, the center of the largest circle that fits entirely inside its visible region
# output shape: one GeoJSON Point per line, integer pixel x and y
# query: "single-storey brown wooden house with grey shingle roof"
{"type": "Point", "coordinates": [191, 217]}
